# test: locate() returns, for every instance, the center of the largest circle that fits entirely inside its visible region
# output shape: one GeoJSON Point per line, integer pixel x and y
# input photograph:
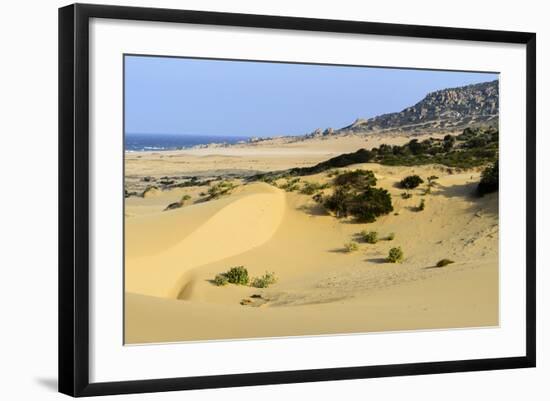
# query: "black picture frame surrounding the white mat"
{"type": "Point", "coordinates": [74, 199]}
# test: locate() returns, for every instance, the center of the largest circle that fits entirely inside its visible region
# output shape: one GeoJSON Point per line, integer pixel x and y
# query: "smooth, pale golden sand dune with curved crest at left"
{"type": "Point", "coordinates": [162, 247]}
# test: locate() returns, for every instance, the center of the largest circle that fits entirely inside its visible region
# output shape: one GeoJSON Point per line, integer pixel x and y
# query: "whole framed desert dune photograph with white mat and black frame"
{"type": "Point", "coordinates": [251, 199]}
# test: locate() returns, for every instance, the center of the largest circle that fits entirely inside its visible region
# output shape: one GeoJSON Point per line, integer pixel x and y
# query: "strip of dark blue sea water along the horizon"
{"type": "Point", "coordinates": [159, 142]}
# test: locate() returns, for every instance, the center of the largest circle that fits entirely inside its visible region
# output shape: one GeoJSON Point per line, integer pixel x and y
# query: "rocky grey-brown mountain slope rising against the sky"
{"type": "Point", "coordinates": [442, 110]}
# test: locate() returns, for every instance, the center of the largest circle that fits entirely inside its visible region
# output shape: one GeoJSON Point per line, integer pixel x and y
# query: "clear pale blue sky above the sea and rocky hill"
{"type": "Point", "coordinates": [242, 98]}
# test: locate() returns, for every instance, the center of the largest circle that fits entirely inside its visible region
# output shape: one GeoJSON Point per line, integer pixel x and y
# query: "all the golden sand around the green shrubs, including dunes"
{"type": "Point", "coordinates": [172, 256]}
